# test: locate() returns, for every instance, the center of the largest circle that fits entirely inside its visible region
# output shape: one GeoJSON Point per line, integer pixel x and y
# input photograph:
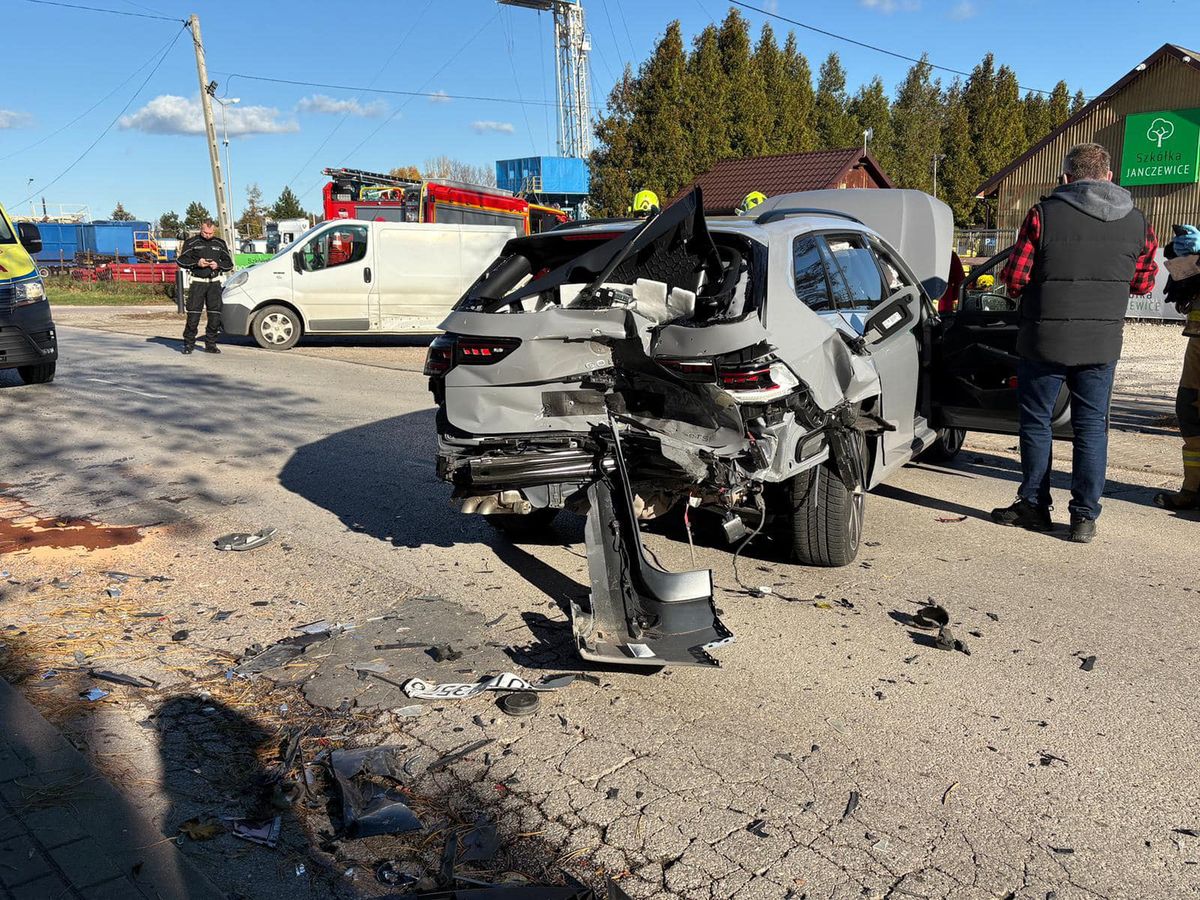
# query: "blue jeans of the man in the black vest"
{"type": "Point", "coordinates": [1091, 389]}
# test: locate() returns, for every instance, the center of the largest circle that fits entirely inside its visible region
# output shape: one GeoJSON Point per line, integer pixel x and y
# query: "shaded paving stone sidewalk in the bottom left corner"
{"type": "Point", "coordinates": [65, 832]}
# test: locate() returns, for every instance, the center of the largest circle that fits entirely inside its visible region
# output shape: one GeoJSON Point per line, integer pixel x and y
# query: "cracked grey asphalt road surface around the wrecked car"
{"type": "Point", "coordinates": [879, 765]}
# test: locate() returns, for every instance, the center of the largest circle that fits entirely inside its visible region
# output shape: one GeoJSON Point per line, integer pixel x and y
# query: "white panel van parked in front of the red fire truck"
{"type": "Point", "coordinates": [355, 278]}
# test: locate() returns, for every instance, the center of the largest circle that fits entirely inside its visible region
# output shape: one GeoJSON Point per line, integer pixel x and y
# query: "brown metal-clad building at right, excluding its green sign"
{"type": "Point", "coordinates": [1168, 81]}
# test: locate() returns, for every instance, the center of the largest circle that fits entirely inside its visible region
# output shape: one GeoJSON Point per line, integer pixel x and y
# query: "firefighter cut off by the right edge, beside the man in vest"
{"type": "Point", "coordinates": [1184, 290]}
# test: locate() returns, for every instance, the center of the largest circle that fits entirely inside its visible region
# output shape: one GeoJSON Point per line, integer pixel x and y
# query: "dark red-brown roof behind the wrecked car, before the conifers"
{"type": "Point", "coordinates": [729, 182]}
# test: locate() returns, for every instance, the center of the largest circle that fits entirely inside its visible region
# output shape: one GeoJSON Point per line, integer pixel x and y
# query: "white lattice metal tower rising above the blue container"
{"type": "Point", "coordinates": [572, 49]}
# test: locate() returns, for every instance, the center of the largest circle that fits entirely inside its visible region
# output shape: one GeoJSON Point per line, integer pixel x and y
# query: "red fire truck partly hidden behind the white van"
{"type": "Point", "coordinates": [353, 194]}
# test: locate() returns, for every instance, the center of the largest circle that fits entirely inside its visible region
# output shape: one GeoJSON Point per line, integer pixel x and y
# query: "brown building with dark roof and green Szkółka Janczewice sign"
{"type": "Point", "coordinates": [1149, 122]}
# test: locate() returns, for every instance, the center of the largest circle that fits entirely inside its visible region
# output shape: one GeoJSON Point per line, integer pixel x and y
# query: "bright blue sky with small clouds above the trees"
{"type": "Point", "coordinates": [285, 134]}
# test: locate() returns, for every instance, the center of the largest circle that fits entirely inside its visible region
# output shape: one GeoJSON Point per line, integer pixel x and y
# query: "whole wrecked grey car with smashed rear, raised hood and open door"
{"type": "Point", "coordinates": [769, 369]}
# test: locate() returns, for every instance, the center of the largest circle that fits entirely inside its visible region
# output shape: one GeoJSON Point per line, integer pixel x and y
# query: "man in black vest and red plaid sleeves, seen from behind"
{"type": "Point", "coordinates": [1079, 255]}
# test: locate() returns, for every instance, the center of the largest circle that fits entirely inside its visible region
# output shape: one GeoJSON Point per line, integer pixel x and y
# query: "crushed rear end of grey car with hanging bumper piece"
{"type": "Point", "coordinates": [623, 370]}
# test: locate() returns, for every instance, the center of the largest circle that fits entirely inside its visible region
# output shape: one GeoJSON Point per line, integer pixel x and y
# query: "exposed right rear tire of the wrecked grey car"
{"type": "Point", "coordinates": [826, 521]}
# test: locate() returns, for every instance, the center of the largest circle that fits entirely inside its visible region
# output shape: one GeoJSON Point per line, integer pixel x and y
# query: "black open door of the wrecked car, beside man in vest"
{"type": "Point", "coordinates": [975, 359]}
